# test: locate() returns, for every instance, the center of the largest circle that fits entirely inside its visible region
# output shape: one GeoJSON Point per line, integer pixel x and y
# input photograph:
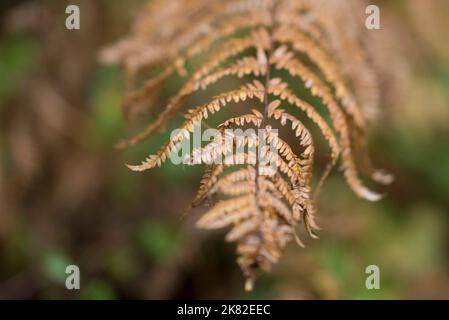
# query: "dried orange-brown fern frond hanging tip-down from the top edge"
{"type": "Point", "coordinates": [316, 45]}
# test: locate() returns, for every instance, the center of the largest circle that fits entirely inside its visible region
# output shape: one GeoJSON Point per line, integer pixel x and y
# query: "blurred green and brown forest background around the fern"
{"type": "Point", "coordinates": [67, 198]}
